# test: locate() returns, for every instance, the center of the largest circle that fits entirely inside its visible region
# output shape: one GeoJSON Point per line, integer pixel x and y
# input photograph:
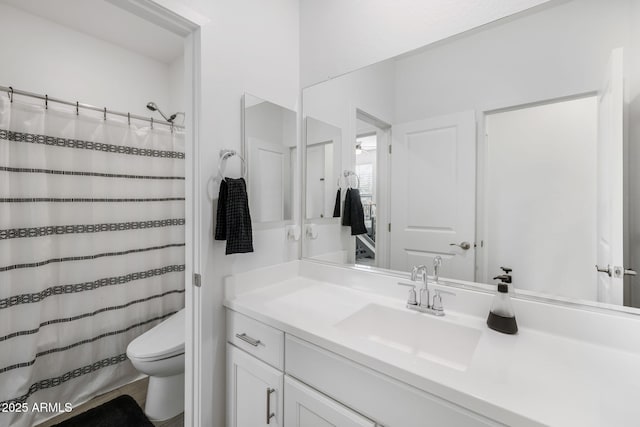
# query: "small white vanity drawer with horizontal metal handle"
{"type": "Point", "coordinates": [256, 338]}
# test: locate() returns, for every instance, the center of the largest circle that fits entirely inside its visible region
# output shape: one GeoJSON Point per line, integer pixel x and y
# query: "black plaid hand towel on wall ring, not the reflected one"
{"type": "Point", "coordinates": [233, 222]}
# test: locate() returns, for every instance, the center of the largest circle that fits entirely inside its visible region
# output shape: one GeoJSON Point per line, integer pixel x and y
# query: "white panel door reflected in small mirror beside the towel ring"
{"type": "Point", "coordinates": [266, 187]}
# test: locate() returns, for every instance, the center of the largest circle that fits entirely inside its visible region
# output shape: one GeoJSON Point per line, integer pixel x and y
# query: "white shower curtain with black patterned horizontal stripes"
{"type": "Point", "coordinates": [91, 251]}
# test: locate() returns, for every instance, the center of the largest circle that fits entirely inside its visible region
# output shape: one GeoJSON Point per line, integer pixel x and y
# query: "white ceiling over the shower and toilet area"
{"type": "Point", "coordinates": [105, 21]}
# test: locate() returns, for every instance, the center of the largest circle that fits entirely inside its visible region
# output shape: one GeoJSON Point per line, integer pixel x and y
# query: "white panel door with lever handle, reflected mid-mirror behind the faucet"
{"type": "Point", "coordinates": [433, 170]}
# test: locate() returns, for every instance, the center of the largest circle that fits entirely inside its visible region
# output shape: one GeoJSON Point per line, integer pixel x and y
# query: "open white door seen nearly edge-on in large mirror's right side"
{"type": "Point", "coordinates": [610, 181]}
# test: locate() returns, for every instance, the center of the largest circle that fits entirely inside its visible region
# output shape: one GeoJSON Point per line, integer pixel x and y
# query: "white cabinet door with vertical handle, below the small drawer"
{"type": "Point", "coordinates": [254, 391]}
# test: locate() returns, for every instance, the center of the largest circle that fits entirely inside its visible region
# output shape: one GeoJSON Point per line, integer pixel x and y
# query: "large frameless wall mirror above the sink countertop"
{"type": "Point", "coordinates": [513, 145]}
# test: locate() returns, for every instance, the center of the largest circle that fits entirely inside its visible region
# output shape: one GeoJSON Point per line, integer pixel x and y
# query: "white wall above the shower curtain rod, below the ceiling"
{"type": "Point", "coordinates": [43, 57]}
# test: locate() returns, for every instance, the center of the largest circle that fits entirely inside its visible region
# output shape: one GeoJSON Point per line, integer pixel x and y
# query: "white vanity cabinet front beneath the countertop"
{"type": "Point", "coordinates": [300, 384]}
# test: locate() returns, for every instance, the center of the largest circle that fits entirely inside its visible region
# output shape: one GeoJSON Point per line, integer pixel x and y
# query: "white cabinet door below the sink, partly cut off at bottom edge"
{"type": "Point", "coordinates": [305, 407]}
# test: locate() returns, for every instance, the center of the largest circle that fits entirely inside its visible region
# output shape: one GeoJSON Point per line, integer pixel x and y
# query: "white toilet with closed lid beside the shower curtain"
{"type": "Point", "coordinates": [159, 353]}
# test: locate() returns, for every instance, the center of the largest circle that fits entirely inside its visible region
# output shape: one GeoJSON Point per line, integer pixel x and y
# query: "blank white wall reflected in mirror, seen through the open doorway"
{"type": "Point", "coordinates": [541, 197]}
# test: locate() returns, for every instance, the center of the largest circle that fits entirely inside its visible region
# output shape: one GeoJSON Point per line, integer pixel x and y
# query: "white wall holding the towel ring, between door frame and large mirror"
{"type": "Point", "coordinates": [248, 46]}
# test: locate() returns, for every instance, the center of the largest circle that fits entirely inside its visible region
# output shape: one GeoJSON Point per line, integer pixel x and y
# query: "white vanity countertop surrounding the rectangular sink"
{"type": "Point", "coordinates": [532, 378]}
